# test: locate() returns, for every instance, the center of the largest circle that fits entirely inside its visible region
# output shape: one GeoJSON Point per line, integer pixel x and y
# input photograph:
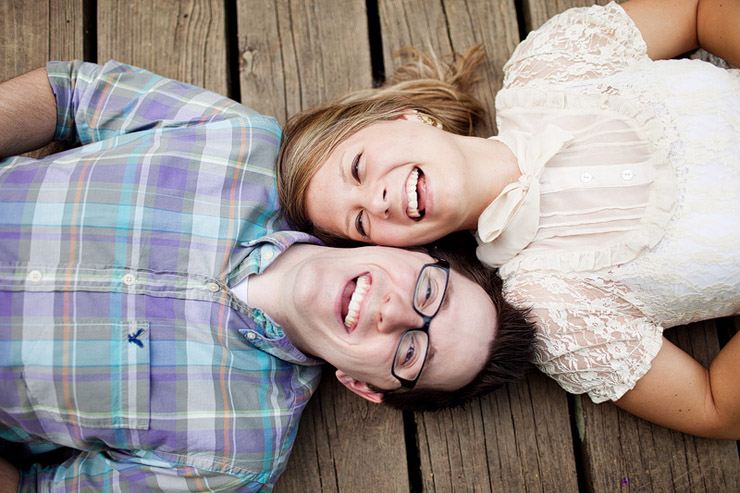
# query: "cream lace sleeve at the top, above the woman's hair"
{"type": "Point", "coordinates": [580, 43]}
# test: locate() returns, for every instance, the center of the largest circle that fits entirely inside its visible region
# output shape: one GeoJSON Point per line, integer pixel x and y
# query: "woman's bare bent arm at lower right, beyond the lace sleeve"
{"type": "Point", "coordinates": [679, 393]}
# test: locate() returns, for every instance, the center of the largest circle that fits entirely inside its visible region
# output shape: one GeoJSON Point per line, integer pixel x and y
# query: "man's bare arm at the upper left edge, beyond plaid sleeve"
{"type": "Point", "coordinates": [28, 113]}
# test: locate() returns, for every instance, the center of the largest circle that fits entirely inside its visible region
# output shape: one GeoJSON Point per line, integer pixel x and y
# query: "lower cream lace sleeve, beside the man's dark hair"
{"type": "Point", "coordinates": [589, 338]}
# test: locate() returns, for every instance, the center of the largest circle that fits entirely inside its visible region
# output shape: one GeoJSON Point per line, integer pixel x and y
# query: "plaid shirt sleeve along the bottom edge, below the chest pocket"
{"type": "Point", "coordinates": [115, 471]}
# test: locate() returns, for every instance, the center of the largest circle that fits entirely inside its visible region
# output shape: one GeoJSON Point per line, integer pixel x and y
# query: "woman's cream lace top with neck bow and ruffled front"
{"type": "Point", "coordinates": [626, 218]}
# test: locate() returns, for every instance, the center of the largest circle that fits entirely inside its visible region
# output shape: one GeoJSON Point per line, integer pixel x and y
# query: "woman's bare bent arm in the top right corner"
{"type": "Point", "coordinates": [673, 27]}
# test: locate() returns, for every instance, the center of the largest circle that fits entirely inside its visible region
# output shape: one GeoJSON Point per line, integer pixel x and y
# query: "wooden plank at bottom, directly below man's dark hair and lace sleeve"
{"type": "Point", "coordinates": [516, 439]}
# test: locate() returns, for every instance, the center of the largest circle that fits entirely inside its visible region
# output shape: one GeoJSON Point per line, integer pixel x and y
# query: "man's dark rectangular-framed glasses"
{"type": "Point", "coordinates": [412, 349]}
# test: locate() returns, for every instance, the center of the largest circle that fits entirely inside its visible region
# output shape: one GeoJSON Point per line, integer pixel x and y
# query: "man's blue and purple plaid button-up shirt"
{"type": "Point", "coordinates": [119, 334]}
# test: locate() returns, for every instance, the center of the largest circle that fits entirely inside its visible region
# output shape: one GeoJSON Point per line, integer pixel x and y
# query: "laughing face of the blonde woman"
{"type": "Point", "coordinates": [399, 183]}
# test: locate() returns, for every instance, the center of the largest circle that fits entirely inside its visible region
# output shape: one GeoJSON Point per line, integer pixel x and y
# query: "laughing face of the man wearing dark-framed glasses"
{"type": "Point", "coordinates": [316, 297]}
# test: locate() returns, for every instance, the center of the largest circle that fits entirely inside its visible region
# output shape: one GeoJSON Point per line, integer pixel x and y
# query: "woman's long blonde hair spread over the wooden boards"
{"type": "Point", "coordinates": [424, 83]}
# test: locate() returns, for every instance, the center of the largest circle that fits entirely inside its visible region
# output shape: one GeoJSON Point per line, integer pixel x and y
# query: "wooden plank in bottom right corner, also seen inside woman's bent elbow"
{"type": "Point", "coordinates": [621, 449]}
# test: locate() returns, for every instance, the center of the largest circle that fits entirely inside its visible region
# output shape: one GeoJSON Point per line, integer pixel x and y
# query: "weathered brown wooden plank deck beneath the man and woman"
{"type": "Point", "coordinates": [280, 56]}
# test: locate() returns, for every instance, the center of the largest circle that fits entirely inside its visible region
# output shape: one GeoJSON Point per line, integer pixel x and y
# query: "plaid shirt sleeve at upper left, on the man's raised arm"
{"type": "Point", "coordinates": [97, 102]}
